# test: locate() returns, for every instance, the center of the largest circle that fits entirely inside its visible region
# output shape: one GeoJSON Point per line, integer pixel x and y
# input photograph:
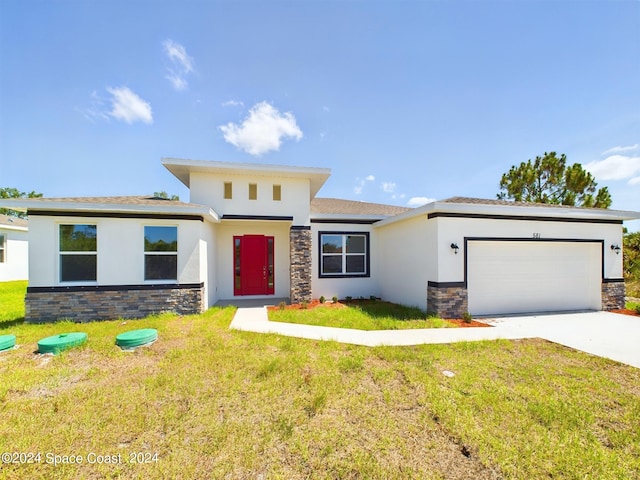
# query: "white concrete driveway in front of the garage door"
{"type": "Point", "coordinates": [605, 334]}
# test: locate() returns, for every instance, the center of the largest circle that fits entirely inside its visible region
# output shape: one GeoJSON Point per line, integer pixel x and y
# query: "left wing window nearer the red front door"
{"type": "Point", "coordinates": [161, 253]}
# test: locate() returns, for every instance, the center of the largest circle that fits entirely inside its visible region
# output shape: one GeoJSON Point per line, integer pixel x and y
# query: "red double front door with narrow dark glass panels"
{"type": "Point", "coordinates": [253, 265]}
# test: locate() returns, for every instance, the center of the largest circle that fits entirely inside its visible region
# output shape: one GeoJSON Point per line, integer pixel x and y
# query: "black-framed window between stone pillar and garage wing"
{"type": "Point", "coordinates": [344, 254]}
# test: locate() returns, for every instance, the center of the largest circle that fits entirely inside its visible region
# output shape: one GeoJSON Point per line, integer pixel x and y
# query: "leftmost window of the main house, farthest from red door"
{"type": "Point", "coordinates": [78, 253]}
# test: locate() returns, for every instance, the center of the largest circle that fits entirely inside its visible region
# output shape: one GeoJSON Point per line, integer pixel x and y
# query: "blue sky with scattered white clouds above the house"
{"type": "Point", "coordinates": [404, 100]}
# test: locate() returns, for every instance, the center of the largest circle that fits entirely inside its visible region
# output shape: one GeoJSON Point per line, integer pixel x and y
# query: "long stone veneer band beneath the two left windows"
{"type": "Point", "coordinates": [84, 304]}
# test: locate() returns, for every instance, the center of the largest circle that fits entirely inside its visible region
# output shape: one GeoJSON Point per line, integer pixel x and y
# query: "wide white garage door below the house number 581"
{"type": "Point", "coordinates": [533, 276]}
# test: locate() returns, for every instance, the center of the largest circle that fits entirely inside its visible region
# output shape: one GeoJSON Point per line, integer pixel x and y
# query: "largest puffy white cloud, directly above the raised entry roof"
{"type": "Point", "coordinates": [263, 130]}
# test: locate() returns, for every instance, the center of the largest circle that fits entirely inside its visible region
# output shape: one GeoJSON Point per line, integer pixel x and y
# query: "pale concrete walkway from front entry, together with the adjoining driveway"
{"type": "Point", "coordinates": [604, 334]}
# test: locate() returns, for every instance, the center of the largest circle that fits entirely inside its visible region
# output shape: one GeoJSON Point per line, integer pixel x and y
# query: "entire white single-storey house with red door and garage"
{"type": "Point", "coordinates": [259, 231]}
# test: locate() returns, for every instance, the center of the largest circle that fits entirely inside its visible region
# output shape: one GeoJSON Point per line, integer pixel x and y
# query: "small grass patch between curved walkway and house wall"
{"type": "Point", "coordinates": [367, 315]}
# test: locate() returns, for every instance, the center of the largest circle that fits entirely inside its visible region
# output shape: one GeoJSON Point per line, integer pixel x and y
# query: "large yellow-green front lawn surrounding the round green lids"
{"type": "Point", "coordinates": [215, 403]}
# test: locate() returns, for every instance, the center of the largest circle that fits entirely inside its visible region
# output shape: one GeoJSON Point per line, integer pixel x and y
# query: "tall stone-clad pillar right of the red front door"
{"type": "Point", "coordinates": [300, 264]}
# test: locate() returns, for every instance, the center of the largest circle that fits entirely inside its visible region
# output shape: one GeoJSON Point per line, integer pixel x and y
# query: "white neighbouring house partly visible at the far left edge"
{"type": "Point", "coordinates": [14, 249]}
